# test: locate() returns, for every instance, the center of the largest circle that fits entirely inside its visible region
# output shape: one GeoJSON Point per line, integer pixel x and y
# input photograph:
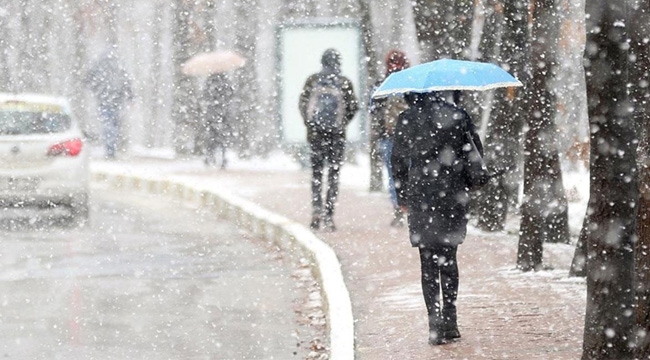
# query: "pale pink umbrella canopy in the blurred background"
{"type": "Point", "coordinates": [212, 62]}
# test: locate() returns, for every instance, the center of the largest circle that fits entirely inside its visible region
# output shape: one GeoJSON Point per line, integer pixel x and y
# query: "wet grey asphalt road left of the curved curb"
{"type": "Point", "coordinates": [145, 279]}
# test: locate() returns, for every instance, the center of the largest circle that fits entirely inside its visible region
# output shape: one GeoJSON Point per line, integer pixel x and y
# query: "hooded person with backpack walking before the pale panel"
{"type": "Point", "coordinates": [327, 104]}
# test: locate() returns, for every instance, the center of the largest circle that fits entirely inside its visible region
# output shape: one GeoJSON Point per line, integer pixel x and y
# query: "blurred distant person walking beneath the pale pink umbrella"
{"type": "Point", "coordinates": [217, 97]}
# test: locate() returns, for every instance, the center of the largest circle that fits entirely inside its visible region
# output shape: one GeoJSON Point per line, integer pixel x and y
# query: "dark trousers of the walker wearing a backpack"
{"type": "Point", "coordinates": [326, 149]}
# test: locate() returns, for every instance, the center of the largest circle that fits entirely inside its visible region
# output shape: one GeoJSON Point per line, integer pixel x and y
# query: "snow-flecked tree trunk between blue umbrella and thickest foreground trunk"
{"type": "Point", "coordinates": [545, 207]}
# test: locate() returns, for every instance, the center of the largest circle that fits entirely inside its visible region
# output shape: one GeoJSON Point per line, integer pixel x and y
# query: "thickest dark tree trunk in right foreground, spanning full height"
{"type": "Point", "coordinates": [609, 317]}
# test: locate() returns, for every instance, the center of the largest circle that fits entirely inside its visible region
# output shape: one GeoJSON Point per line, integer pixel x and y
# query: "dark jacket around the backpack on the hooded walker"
{"type": "Point", "coordinates": [351, 105]}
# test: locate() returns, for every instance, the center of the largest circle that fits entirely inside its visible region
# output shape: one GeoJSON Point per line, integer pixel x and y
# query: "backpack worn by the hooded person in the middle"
{"type": "Point", "coordinates": [326, 106]}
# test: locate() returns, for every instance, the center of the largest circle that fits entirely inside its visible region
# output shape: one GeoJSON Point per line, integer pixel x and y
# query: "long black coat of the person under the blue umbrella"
{"type": "Point", "coordinates": [429, 172]}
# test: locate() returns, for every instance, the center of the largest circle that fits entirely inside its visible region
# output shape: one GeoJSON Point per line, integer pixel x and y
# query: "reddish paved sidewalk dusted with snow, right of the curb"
{"type": "Point", "coordinates": [503, 314]}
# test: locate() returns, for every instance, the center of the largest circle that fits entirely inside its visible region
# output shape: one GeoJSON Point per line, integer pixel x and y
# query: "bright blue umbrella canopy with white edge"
{"type": "Point", "coordinates": [446, 74]}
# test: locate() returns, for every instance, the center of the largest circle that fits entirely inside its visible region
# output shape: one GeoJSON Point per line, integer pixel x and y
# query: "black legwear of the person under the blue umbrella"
{"type": "Point", "coordinates": [439, 272]}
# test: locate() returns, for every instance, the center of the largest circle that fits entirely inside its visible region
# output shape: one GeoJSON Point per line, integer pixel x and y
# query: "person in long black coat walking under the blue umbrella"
{"type": "Point", "coordinates": [432, 166]}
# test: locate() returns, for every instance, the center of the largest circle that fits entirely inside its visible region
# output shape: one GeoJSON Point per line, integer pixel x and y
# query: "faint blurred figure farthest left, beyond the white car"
{"type": "Point", "coordinates": [111, 87]}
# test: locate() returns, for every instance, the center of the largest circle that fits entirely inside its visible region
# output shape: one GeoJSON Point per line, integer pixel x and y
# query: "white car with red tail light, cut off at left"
{"type": "Point", "coordinates": [43, 157]}
